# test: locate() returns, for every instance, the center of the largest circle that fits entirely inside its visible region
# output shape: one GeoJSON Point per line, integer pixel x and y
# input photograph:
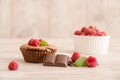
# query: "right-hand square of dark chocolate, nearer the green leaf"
{"type": "Point", "coordinates": [61, 60]}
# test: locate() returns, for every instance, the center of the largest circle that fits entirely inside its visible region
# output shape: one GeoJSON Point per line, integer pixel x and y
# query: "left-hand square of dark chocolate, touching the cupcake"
{"type": "Point", "coordinates": [49, 60]}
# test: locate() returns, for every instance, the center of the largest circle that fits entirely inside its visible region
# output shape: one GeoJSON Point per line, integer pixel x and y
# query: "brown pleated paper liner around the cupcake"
{"type": "Point", "coordinates": [35, 56]}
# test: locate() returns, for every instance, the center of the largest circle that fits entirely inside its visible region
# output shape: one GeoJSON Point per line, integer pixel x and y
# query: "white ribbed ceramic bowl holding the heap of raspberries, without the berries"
{"type": "Point", "coordinates": [91, 45]}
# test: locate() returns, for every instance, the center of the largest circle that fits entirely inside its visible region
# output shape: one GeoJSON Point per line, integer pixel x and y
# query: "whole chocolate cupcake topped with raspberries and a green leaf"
{"type": "Point", "coordinates": [36, 50]}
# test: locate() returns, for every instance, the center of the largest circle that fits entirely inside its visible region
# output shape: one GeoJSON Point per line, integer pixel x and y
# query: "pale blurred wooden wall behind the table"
{"type": "Point", "coordinates": [57, 18]}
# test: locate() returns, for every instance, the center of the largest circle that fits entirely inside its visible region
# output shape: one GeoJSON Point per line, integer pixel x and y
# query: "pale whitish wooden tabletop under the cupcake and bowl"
{"type": "Point", "coordinates": [108, 69]}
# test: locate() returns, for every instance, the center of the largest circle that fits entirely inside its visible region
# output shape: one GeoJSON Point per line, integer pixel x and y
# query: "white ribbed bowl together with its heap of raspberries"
{"type": "Point", "coordinates": [89, 40]}
